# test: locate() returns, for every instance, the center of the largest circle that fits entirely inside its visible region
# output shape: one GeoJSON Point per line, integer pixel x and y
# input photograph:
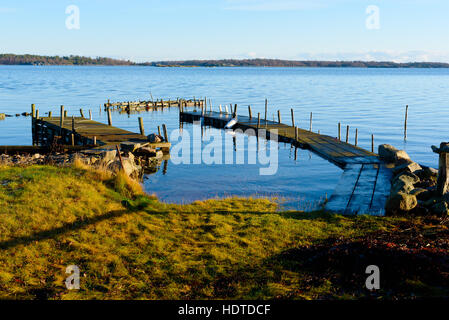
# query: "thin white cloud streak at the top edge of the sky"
{"type": "Point", "coordinates": [272, 5]}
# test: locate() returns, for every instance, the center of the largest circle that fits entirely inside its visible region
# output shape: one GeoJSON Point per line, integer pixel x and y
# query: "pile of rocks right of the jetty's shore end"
{"type": "Point", "coordinates": [413, 187]}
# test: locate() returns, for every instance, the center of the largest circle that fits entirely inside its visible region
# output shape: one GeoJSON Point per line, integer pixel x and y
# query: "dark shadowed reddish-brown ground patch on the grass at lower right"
{"type": "Point", "coordinates": [413, 260]}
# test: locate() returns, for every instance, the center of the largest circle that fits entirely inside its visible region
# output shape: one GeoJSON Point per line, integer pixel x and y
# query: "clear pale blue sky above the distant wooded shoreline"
{"type": "Point", "coordinates": [154, 30]}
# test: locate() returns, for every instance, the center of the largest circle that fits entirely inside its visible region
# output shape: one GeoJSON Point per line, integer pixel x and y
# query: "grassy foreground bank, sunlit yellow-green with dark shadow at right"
{"type": "Point", "coordinates": [131, 246]}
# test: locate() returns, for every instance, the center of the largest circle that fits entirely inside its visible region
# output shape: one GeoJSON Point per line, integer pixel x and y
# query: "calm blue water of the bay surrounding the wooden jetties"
{"type": "Point", "coordinates": [372, 100]}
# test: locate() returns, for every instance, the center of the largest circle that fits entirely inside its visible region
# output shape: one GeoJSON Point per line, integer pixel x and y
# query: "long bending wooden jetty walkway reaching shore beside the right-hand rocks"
{"type": "Point", "coordinates": [365, 183]}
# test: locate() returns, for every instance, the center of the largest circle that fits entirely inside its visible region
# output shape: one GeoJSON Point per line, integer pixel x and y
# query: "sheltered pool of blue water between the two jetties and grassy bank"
{"type": "Point", "coordinates": [302, 179]}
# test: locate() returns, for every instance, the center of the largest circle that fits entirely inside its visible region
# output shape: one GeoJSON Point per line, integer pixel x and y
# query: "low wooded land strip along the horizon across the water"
{"type": "Point", "coordinates": [27, 59]}
